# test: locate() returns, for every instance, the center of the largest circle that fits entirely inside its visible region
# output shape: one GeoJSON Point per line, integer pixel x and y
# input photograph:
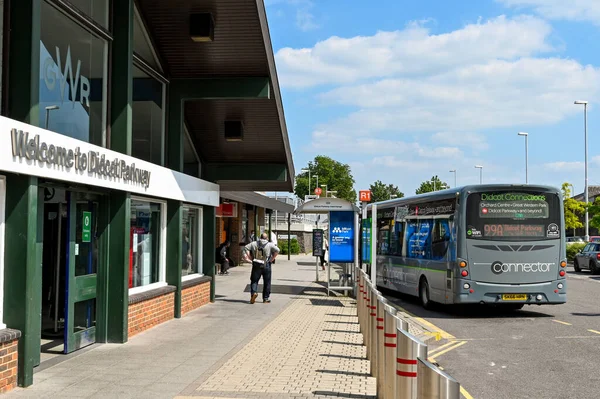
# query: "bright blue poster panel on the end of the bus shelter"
{"type": "Point", "coordinates": [341, 237]}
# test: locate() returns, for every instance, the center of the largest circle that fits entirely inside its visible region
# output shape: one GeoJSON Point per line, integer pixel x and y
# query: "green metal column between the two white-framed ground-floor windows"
{"type": "Point", "coordinates": [174, 248]}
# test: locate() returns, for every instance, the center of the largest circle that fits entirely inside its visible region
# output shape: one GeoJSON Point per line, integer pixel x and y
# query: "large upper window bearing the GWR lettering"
{"type": "Point", "coordinates": [73, 78]}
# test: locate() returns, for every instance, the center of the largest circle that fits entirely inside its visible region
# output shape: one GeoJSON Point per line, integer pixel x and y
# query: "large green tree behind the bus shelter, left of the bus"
{"type": "Point", "coordinates": [336, 175]}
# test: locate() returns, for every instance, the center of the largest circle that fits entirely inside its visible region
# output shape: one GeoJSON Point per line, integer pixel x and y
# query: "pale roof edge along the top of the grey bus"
{"type": "Point", "coordinates": [452, 192]}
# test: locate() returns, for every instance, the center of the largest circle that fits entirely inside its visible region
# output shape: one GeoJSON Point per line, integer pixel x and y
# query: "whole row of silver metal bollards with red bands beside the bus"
{"type": "Point", "coordinates": [398, 358]}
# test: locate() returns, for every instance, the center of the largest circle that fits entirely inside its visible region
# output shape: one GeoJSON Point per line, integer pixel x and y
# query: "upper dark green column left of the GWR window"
{"type": "Point", "coordinates": [24, 62]}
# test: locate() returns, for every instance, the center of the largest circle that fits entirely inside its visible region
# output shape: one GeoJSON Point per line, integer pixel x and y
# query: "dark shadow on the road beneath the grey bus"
{"type": "Point", "coordinates": [475, 311]}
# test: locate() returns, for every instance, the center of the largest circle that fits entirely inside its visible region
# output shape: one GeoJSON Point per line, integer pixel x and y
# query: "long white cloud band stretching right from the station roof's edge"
{"type": "Point", "coordinates": [412, 51]}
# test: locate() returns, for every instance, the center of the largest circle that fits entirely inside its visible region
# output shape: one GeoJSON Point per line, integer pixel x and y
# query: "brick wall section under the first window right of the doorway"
{"type": "Point", "coordinates": [146, 312]}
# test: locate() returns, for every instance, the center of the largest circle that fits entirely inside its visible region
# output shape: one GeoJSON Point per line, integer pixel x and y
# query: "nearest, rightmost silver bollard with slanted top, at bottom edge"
{"type": "Point", "coordinates": [433, 383]}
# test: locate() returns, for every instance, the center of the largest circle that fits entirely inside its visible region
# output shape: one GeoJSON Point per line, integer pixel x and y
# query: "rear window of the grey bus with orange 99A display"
{"type": "Point", "coordinates": [511, 216]}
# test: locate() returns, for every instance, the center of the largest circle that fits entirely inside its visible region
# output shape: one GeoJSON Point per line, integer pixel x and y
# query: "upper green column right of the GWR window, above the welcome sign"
{"type": "Point", "coordinates": [121, 89]}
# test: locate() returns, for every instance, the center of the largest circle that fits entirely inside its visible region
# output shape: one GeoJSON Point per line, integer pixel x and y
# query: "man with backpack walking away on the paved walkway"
{"type": "Point", "coordinates": [263, 254]}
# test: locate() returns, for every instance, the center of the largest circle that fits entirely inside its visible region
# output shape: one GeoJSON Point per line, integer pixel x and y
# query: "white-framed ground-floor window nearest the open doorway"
{"type": "Point", "coordinates": [147, 238]}
